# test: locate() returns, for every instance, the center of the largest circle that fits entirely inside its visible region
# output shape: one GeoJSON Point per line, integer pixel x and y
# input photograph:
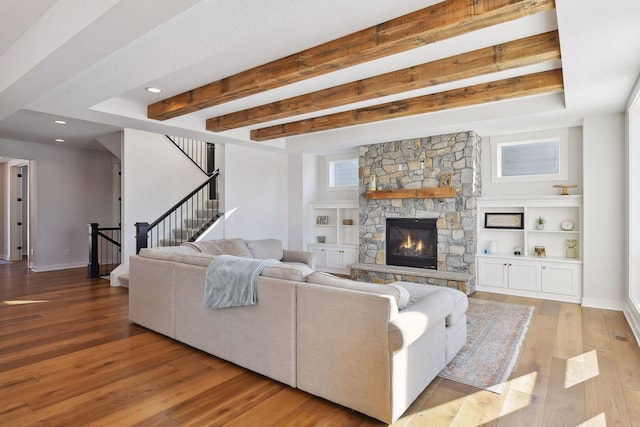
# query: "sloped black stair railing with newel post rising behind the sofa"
{"type": "Point", "coordinates": [185, 221]}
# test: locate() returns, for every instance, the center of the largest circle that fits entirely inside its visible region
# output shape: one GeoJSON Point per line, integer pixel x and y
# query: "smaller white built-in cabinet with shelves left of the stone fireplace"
{"type": "Point", "coordinates": [338, 223]}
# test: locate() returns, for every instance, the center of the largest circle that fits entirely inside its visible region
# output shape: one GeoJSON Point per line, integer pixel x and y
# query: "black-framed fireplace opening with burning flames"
{"type": "Point", "coordinates": [412, 242]}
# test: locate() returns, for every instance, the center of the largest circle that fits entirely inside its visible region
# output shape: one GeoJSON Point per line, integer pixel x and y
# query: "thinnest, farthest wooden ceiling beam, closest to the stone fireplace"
{"type": "Point", "coordinates": [531, 84]}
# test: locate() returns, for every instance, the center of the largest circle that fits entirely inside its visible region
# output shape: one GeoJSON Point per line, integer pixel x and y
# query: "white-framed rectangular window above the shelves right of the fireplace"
{"type": "Point", "coordinates": [543, 159]}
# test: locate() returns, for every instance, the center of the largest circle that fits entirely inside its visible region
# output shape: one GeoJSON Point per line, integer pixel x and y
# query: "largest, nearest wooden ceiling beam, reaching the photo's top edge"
{"type": "Point", "coordinates": [438, 22]}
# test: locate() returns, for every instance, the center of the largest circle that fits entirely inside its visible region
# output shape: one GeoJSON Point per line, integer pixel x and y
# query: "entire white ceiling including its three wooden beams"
{"type": "Point", "coordinates": [309, 76]}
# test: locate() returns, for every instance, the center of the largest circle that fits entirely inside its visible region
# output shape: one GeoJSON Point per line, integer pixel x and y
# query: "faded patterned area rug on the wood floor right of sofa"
{"type": "Point", "coordinates": [495, 332]}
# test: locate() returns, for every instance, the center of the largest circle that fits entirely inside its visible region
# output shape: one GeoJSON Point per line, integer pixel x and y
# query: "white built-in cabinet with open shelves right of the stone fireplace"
{"type": "Point", "coordinates": [554, 276]}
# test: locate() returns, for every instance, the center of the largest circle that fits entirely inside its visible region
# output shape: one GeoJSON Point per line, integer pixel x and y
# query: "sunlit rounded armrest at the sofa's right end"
{"type": "Point", "coordinates": [412, 322]}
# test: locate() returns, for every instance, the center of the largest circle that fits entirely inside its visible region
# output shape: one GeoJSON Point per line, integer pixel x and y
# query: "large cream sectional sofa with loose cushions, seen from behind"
{"type": "Point", "coordinates": [345, 341]}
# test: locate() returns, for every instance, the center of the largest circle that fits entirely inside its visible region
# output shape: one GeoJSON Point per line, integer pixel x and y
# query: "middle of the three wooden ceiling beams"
{"type": "Point", "coordinates": [519, 53]}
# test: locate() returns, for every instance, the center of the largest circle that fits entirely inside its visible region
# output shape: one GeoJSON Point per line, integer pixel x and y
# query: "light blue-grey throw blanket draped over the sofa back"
{"type": "Point", "coordinates": [231, 281]}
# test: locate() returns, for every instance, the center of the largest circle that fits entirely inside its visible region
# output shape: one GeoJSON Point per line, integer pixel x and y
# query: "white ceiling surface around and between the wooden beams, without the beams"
{"type": "Point", "coordinates": [89, 62]}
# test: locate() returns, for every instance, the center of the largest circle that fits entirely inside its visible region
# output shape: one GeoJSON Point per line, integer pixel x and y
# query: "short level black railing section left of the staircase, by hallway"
{"type": "Point", "coordinates": [104, 250]}
